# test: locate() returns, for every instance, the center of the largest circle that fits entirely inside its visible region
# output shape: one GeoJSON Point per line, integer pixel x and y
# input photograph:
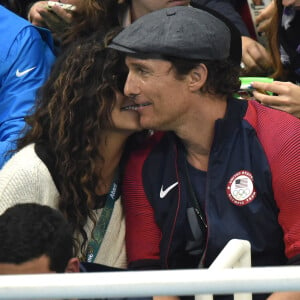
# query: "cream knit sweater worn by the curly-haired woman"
{"type": "Point", "coordinates": [25, 178]}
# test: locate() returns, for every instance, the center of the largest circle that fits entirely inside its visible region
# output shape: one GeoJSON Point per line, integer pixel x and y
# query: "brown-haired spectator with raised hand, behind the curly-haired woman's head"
{"type": "Point", "coordinates": [68, 26]}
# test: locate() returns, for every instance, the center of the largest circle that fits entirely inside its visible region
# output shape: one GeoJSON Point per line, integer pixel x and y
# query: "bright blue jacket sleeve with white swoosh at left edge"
{"type": "Point", "coordinates": [23, 71]}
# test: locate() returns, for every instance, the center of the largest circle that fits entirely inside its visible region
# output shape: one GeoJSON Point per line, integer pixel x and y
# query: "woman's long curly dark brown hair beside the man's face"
{"type": "Point", "coordinates": [73, 107]}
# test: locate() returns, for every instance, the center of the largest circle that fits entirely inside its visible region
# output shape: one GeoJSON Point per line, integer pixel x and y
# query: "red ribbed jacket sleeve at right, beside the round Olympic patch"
{"type": "Point", "coordinates": [279, 134]}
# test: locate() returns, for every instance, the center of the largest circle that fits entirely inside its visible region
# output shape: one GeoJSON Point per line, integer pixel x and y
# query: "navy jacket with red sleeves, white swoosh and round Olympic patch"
{"type": "Point", "coordinates": [256, 150]}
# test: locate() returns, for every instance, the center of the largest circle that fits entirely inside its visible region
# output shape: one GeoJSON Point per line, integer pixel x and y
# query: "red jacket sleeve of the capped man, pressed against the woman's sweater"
{"type": "Point", "coordinates": [142, 233]}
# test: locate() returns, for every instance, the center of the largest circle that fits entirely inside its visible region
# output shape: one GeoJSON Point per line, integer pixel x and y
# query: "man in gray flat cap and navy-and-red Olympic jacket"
{"type": "Point", "coordinates": [223, 168]}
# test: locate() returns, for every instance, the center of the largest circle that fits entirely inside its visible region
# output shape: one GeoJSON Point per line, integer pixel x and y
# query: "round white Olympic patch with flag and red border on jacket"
{"type": "Point", "coordinates": [240, 189]}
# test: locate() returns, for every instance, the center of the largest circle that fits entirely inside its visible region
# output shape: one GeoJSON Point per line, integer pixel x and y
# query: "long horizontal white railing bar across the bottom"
{"type": "Point", "coordinates": [148, 283]}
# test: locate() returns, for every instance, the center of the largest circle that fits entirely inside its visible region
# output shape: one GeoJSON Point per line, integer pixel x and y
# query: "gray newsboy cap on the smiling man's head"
{"type": "Point", "coordinates": [180, 31]}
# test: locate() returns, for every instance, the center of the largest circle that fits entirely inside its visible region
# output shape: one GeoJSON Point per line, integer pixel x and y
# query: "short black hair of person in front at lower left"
{"type": "Point", "coordinates": [29, 230]}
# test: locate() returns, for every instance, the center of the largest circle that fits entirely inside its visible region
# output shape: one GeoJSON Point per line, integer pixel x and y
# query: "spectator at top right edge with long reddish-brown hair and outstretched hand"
{"type": "Point", "coordinates": [284, 40]}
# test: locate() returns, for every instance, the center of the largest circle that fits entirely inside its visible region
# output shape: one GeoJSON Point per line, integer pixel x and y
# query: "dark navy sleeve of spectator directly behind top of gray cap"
{"type": "Point", "coordinates": [226, 8]}
